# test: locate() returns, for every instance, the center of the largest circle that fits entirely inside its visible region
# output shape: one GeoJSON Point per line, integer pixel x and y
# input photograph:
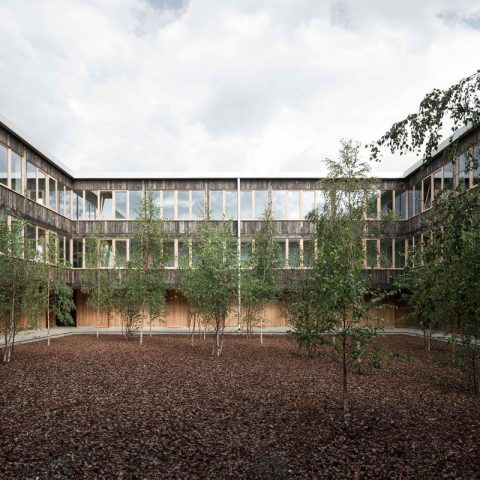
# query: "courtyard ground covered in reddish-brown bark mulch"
{"type": "Point", "coordinates": [109, 408]}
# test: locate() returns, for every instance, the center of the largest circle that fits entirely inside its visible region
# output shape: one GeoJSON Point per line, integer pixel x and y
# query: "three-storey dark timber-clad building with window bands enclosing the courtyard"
{"type": "Point", "coordinates": [52, 200]}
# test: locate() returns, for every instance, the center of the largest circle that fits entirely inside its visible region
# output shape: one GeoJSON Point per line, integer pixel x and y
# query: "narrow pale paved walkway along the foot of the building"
{"type": "Point", "coordinates": [27, 336]}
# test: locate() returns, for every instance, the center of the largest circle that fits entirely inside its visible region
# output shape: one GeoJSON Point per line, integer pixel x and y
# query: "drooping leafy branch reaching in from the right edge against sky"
{"type": "Point", "coordinates": [421, 132]}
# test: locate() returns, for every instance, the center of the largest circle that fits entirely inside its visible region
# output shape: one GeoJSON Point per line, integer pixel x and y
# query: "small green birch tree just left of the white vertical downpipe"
{"type": "Point", "coordinates": [211, 285]}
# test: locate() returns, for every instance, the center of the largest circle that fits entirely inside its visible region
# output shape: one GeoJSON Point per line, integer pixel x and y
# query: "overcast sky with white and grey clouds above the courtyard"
{"type": "Point", "coordinates": [224, 85]}
